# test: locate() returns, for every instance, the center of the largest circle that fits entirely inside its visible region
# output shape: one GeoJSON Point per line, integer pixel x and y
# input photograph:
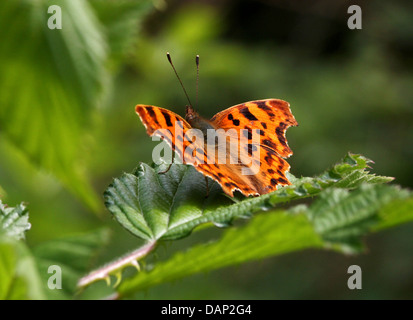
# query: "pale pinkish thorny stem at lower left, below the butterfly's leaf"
{"type": "Point", "coordinates": [116, 266]}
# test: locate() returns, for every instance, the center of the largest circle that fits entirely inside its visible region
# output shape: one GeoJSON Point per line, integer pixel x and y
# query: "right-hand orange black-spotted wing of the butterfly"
{"type": "Point", "coordinates": [269, 119]}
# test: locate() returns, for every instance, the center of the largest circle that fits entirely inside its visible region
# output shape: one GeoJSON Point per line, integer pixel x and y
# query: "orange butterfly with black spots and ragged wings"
{"type": "Point", "coordinates": [254, 135]}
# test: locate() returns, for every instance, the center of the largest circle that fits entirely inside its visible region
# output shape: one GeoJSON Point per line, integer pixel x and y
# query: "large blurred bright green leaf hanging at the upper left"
{"type": "Point", "coordinates": [51, 80]}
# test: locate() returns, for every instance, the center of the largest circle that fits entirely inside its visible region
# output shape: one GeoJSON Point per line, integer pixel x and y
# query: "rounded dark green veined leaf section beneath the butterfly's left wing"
{"type": "Point", "coordinates": [149, 204]}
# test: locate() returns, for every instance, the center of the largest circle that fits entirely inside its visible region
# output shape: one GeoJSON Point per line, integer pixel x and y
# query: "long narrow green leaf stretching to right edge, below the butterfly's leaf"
{"type": "Point", "coordinates": [337, 216]}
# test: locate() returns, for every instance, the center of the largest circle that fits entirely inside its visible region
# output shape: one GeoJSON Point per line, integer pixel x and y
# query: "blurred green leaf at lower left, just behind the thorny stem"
{"type": "Point", "coordinates": [74, 255]}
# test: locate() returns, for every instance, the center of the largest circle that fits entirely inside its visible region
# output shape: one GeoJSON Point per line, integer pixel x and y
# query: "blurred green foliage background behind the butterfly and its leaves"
{"type": "Point", "coordinates": [67, 122]}
